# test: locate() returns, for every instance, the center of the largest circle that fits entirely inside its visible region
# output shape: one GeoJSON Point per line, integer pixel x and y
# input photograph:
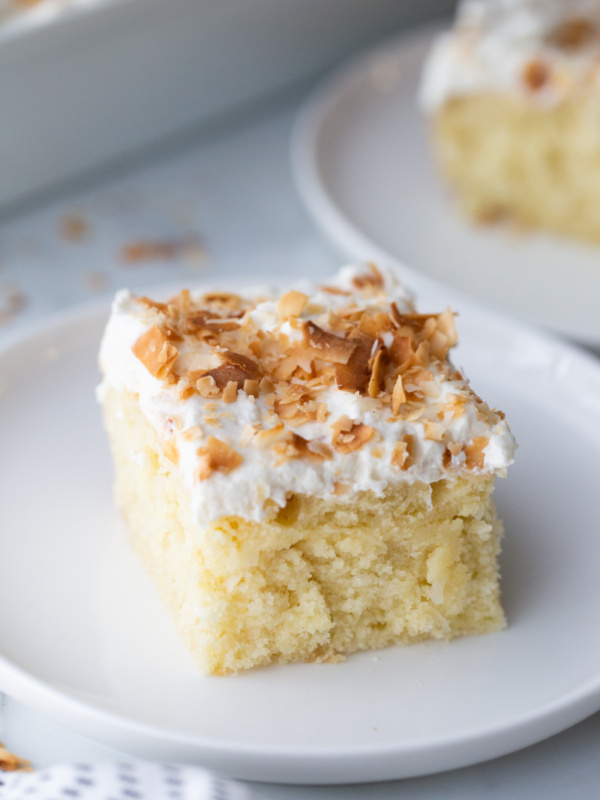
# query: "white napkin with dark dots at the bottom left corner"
{"type": "Point", "coordinates": [119, 781]}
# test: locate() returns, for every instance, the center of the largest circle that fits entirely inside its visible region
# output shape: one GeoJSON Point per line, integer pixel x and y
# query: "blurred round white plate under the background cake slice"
{"type": "Point", "coordinates": [363, 165]}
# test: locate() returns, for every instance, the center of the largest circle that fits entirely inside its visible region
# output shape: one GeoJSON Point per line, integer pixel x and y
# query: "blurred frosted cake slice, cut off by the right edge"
{"type": "Point", "coordinates": [513, 93]}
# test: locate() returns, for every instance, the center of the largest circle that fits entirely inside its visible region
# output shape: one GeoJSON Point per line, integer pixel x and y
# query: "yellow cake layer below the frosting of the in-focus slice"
{"type": "Point", "coordinates": [318, 579]}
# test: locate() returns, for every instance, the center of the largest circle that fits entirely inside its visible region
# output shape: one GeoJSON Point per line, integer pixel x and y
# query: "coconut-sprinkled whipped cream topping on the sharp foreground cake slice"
{"type": "Point", "coordinates": [321, 391]}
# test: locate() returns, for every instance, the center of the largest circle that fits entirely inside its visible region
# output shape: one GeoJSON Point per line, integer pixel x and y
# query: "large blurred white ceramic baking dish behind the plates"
{"type": "Point", "coordinates": [136, 77]}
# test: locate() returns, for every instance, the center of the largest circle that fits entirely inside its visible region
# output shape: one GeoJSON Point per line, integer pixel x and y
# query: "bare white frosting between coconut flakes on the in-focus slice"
{"type": "Point", "coordinates": [260, 477]}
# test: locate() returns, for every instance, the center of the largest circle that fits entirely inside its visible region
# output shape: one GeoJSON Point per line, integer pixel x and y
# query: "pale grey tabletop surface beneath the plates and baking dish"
{"type": "Point", "coordinates": [237, 195]}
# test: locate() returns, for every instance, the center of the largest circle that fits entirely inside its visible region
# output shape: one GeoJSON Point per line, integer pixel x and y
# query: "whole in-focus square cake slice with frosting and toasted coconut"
{"type": "Point", "coordinates": [304, 474]}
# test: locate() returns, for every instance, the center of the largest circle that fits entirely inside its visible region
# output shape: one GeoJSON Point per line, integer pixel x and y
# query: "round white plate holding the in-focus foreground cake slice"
{"type": "Point", "coordinates": [85, 640]}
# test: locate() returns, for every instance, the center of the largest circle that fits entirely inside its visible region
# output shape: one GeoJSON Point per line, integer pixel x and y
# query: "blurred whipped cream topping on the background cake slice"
{"type": "Point", "coordinates": [539, 50]}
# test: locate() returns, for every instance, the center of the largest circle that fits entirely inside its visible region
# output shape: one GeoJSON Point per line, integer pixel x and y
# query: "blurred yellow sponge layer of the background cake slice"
{"type": "Point", "coordinates": [537, 165]}
